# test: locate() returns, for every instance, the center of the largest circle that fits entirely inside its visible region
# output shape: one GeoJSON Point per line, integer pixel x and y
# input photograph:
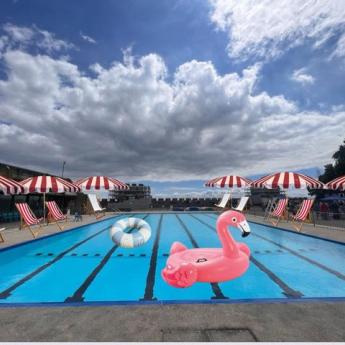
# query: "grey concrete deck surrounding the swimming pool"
{"type": "Point", "coordinates": [283, 321]}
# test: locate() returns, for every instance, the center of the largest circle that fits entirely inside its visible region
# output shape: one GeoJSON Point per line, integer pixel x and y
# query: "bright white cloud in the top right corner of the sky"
{"type": "Point", "coordinates": [265, 28]}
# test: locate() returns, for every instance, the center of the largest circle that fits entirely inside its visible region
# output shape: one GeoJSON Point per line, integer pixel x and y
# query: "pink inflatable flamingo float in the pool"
{"type": "Point", "coordinates": [187, 266]}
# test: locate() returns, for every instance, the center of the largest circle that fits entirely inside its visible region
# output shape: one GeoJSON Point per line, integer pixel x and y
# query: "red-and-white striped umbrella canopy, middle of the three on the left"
{"type": "Point", "coordinates": [46, 184]}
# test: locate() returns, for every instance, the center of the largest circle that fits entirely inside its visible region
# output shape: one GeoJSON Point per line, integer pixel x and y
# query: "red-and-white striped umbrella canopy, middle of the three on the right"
{"type": "Point", "coordinates": [288, 180]}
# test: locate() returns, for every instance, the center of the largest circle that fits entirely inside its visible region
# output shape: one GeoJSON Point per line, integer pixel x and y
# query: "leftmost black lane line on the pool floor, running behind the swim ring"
{"type": "Point", "coordinates": [7, 292]}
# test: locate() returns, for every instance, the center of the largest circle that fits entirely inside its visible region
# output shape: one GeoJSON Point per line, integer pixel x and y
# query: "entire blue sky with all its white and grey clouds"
{"type": "Point", "coordinates": [171, 92]}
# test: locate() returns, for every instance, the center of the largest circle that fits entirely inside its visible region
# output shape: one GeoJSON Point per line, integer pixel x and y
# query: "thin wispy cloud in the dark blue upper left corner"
{"type": "Point", "coordinates": [21, 37]}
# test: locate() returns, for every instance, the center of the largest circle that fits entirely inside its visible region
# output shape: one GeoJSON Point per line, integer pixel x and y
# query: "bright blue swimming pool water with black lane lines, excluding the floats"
{"type": "Point", "coordinates": [84, 266]}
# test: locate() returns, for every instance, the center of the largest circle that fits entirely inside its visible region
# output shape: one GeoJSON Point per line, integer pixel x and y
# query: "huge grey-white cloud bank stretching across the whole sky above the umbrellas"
{"type": "Point", "coordinates": [133, 122]}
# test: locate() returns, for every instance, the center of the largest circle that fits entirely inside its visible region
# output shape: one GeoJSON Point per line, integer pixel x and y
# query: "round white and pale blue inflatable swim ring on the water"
{"type": "Point", "coordinates": [126, 240]}
